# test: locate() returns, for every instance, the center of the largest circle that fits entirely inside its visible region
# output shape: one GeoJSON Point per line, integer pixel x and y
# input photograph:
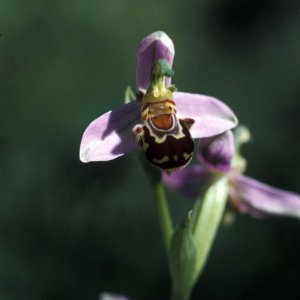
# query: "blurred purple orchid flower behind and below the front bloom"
{"type": "Point", "coordinates": [247, 195]}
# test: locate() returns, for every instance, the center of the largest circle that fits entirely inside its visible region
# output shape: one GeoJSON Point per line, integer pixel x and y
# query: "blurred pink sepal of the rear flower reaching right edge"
{"type": "Point", "coordinates": [261, 199]}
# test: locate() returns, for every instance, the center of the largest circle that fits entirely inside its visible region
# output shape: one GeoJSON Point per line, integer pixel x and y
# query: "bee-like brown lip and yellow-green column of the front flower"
{"type": "Point", "coordinates": [165, 139]}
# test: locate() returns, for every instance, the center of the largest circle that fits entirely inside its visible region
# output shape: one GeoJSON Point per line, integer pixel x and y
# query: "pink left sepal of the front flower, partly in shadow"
{"type": "Point", "coordinates": [110, 135]}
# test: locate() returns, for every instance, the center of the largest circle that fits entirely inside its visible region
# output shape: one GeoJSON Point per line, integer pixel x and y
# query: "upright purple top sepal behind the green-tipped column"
{"type": "Point", "coordinates": [153, 47]}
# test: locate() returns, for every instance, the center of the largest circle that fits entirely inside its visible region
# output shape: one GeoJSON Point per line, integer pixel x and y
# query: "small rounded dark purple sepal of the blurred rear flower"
{"type": "Point", "coordinates": [217, 151]}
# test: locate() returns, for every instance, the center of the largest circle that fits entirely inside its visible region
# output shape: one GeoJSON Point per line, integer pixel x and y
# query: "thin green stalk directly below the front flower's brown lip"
{"type": "Point", "coordinates": [164, 214]}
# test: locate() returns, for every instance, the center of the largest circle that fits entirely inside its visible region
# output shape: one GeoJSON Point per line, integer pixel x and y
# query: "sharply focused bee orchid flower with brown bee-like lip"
{"type": "Point", "coordinates": [161, 121]}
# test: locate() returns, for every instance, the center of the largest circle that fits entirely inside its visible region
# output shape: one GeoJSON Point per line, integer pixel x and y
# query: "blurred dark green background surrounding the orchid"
{"type": "Point", "coordinates": [70, 230]}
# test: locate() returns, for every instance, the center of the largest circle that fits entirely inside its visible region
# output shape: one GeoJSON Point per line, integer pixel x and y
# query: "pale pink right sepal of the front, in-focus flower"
{"type": "Point", "coordinates": [211, 116]}
